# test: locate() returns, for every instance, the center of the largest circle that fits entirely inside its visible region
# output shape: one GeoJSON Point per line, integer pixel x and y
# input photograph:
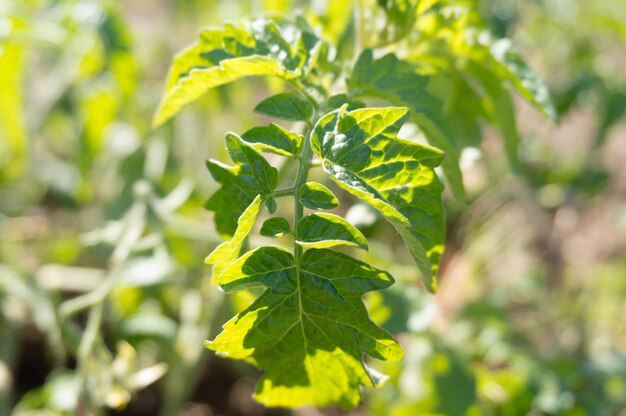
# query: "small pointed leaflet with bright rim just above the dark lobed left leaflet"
{"type": "Point", "coordinates": [274, 139]}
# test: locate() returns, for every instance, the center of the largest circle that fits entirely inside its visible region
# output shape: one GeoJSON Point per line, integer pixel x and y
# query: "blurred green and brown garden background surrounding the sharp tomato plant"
{"type": "Point", "coordinates": [103, 234]}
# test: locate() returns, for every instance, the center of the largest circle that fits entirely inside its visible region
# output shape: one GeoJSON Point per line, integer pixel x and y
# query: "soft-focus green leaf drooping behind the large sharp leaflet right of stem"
{"type": "Point", "coordinates": [397, 82]}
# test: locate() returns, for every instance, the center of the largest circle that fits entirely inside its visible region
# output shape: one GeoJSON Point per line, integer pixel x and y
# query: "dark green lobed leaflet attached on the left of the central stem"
{"type": "Point", "coordinates": [251, 176]}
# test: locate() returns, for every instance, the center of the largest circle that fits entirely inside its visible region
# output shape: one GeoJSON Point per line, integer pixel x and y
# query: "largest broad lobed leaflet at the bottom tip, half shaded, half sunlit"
{"type": "Point", "coordinates": [309, 329]}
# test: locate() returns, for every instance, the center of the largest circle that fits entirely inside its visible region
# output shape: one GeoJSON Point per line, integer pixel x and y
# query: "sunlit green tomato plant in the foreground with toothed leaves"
{"type": "Point", "coordinates": [433, 64]}
